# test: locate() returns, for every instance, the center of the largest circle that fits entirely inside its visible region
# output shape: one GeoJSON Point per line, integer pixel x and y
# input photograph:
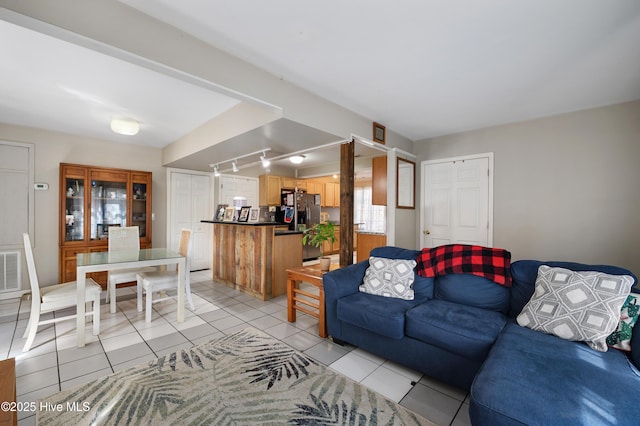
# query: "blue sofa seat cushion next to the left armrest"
{"type": "Point", "coordinates": [381, 315]}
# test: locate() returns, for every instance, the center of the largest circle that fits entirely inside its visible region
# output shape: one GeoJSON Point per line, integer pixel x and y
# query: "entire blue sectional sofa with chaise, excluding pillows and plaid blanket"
{"type": "Point", "coordinates": [462, 329]}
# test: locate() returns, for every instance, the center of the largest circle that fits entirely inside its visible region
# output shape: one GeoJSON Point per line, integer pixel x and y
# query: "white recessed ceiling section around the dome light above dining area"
{"type": "Point", "coordinates": [56, 85]}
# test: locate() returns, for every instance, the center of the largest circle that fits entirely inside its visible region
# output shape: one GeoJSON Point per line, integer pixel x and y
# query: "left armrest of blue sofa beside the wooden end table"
{"type": "Point", "coordinates": [337, 284]}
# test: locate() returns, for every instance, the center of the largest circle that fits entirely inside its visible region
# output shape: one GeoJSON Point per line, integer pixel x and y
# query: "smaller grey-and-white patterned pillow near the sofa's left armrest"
{"type": "Point", "coordinates": [389, 278]}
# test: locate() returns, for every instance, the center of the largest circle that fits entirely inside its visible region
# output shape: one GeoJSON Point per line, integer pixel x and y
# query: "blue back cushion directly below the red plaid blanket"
{"type": "Point", "coordinates": [472, 290]}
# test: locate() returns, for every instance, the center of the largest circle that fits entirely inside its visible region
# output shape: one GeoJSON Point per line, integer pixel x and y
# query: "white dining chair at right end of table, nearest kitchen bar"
{"type": "Point", "coordinates": [150, 282]}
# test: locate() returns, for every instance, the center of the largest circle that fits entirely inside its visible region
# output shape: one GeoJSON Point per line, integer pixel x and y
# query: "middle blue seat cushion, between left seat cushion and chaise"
{"type": "Point", "coordinates": [463, 330]}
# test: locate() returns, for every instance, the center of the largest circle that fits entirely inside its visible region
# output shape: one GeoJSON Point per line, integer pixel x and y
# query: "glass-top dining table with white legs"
{"type": "Point", "coordinates": [125, 259]}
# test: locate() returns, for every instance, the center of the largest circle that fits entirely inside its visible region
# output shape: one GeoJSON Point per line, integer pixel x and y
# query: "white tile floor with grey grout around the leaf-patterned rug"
{"type": "Point", "coordinates": [54, 363]}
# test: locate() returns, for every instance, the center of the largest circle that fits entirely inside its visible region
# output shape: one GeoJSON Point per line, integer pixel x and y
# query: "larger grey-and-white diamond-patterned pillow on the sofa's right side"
{"type": "Point", "coordinates": [579, 306]}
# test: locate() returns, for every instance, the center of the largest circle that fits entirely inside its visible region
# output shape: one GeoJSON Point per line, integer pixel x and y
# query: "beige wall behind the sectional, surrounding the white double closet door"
{"type": "Point", "coordinates": [566, 187]}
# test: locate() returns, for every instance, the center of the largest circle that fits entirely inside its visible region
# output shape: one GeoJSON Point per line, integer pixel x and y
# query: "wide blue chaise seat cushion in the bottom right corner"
{"type": "Point", "coordinates": [536, 378]}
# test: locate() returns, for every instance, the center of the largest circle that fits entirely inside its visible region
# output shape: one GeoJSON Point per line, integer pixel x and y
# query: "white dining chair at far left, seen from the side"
{"type": "Point", "coordinates": [55, 297]}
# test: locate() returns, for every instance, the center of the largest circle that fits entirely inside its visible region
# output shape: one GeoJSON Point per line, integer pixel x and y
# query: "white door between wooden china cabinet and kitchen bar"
{"type": "Point", "coordinates": [190, 202]}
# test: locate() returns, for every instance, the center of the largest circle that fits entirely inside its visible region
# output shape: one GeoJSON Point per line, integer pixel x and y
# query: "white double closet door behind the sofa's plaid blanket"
{"type": "Point", "coordinates": [457, 201]}
